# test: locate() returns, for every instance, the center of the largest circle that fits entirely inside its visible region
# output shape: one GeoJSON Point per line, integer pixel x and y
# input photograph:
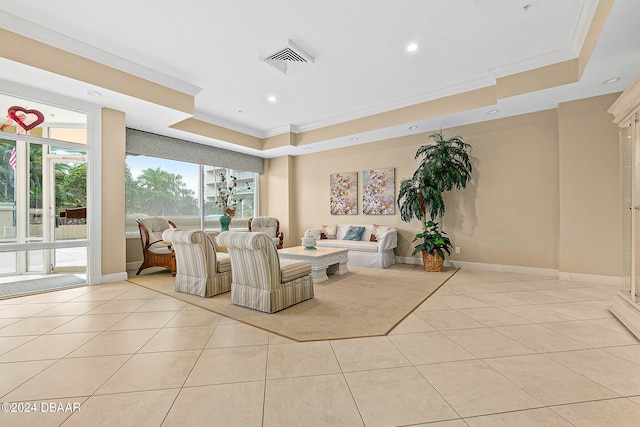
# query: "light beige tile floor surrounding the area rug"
{"type": "Point", "coordinates": [487, 349]}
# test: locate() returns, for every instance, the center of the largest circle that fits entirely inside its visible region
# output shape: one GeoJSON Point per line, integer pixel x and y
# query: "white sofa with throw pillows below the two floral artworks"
{"type": "Point", "coordinates": [374, 252]}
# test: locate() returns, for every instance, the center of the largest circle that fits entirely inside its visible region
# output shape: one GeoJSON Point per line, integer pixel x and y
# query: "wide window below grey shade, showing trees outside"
{"type": "Point", "coordinates": [185, 193]}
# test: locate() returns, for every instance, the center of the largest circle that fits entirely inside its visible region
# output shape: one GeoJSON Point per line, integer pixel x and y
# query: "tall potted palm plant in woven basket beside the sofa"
{"type": "Point", "coordinates": [444, 166]}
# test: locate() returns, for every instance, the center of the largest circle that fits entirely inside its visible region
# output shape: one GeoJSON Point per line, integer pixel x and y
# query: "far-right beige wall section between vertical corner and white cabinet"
{"type": "Point", "coordinates": [590, 216]}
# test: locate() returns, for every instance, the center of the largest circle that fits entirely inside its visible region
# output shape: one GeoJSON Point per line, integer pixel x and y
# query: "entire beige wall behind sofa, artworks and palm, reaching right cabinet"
{"type": "Point", "coordinates": [534, 186]}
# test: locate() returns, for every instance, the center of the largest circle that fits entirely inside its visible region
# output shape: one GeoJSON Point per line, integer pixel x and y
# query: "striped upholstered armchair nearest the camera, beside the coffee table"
{"type": "Point", "coordinates": [260, 279]}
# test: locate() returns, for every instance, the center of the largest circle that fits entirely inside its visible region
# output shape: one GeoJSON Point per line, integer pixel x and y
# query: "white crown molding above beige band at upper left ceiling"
{"type": "Point", "coordinates": [52, 38]}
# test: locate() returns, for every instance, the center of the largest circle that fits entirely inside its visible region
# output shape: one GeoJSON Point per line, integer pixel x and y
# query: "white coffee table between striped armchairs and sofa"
{"type": "Point", "coordinates": [323, 260]}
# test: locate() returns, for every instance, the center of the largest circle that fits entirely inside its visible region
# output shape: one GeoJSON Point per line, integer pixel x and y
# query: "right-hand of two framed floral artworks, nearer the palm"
{"type": "Point", "coordinates": [378, 192]}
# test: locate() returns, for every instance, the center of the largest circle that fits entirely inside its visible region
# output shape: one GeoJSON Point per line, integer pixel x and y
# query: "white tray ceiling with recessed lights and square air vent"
{"type": "Point", "coordinates": [212, 49]}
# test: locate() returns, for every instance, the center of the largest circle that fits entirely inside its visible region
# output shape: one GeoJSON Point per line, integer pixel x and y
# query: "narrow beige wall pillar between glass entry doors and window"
{"type": "Point", "coordinates": [113, 199]}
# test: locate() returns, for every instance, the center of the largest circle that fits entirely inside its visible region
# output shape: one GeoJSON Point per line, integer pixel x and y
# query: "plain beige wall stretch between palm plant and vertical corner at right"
{"type": "Point", "coordinates": [509, 212]}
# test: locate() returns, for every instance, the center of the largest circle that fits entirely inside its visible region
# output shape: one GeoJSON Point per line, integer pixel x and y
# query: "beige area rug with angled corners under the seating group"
{"type": "Point", "coordinates": [362, 303]}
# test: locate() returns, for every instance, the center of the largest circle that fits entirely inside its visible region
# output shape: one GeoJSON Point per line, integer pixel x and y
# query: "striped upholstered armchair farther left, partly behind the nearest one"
{"type": "Point", "coordinates": [200, 269]}
